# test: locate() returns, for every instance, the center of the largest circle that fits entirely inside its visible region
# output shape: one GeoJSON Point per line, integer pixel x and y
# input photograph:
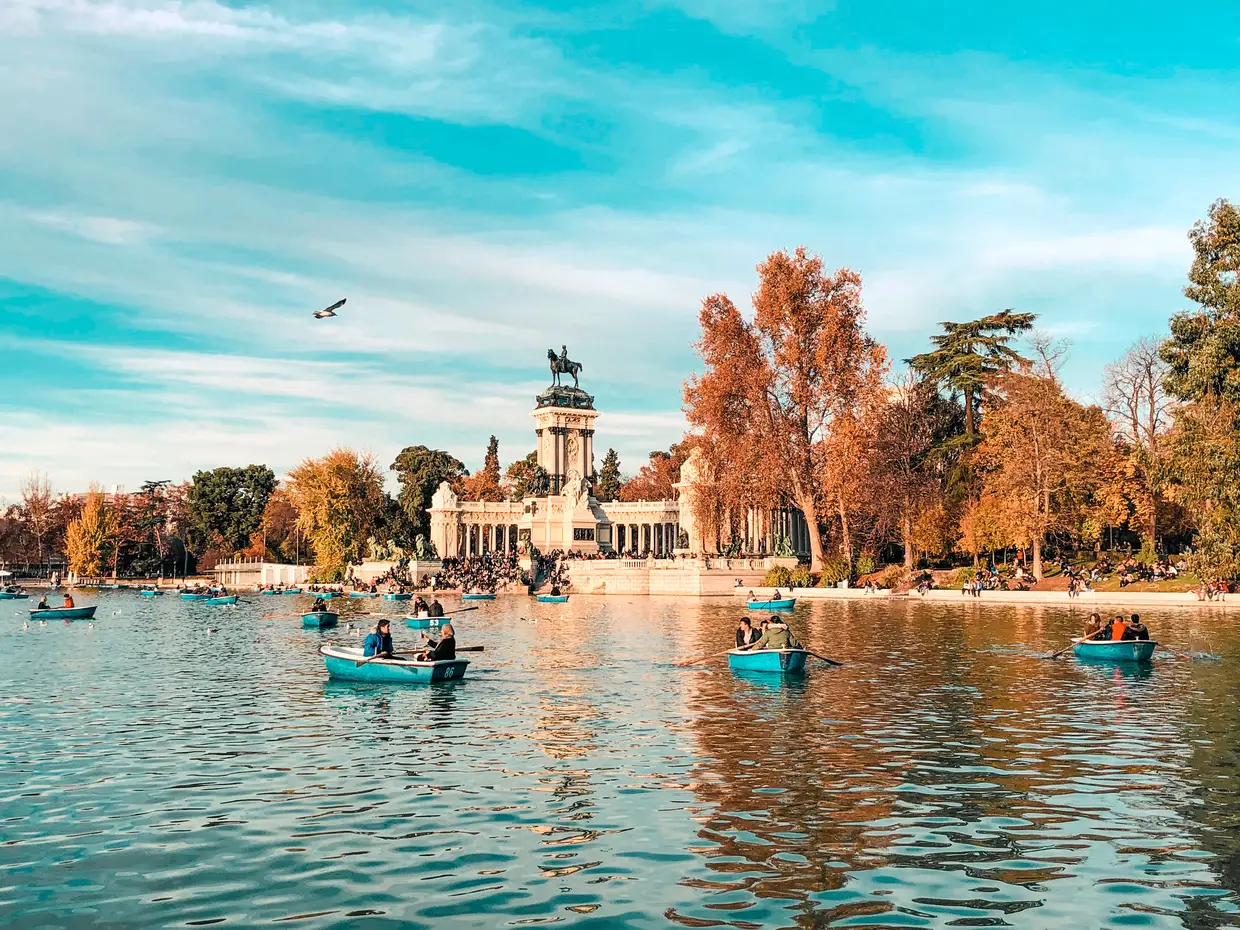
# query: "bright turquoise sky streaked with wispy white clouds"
{"type": "Point", "coordinates": [183, 184]}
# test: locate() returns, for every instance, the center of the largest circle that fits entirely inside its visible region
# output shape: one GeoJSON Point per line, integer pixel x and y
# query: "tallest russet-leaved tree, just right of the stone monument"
{"type": "Point", "coordinates": [776, 385]}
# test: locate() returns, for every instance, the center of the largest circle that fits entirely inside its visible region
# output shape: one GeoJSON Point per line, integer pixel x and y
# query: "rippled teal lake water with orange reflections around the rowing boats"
{"type": "Point", "coordinates": [154, 774]}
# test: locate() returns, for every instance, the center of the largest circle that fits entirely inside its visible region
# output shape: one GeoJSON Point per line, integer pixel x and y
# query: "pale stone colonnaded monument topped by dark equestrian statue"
{"type": "Point", "coordinates": [562, 513]}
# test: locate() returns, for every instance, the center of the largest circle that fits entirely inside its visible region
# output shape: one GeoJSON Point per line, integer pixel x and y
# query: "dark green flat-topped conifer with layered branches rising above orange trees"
{"type": "Point", "coordinates": [969, 354]}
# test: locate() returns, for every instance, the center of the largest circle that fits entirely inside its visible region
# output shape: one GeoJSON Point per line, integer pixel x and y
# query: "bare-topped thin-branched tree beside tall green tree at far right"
{"type": "Point", "coordinates": [1135, 397]}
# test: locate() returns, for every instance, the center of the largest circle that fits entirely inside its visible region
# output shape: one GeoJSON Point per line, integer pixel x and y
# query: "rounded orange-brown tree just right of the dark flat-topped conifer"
{"type": "Point", "coordinates": [1043, 458]}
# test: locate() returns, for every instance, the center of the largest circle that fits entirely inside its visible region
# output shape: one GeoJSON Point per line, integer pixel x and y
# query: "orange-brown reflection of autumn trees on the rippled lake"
{"type": "Point", "coordinates": [931, 753]}
